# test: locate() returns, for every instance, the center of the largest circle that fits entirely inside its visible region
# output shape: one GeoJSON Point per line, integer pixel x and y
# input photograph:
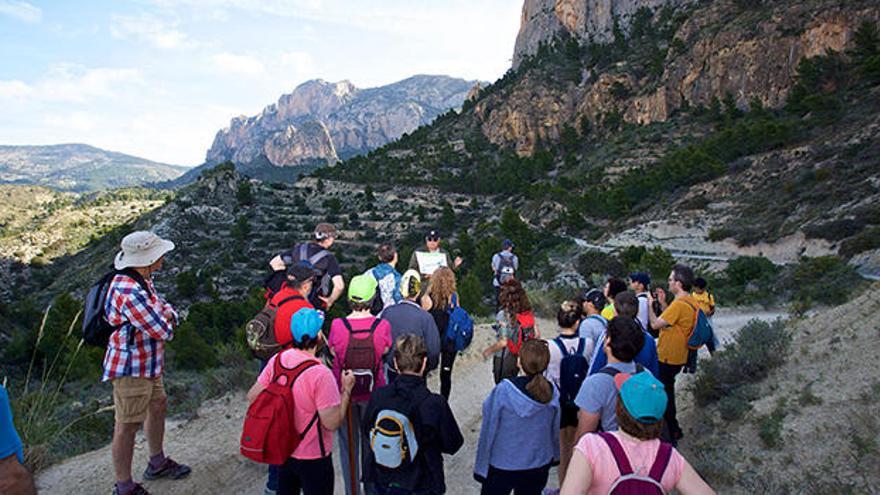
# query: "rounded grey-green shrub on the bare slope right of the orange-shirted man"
{"type": "Point", "coordinates": [757, 348]}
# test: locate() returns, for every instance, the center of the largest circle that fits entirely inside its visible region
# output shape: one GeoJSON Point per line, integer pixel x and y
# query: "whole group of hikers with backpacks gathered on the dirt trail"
{"type": "Point", "coordinates": [594, 400]}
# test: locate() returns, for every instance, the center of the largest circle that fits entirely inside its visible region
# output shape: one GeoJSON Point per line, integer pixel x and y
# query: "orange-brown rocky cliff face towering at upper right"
{"type": "Point", "coordinates": [718, 49]}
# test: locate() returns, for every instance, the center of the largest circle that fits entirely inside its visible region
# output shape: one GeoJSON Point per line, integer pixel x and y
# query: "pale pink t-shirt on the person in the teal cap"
{"type": "Point", "coordinates": [641, 456]}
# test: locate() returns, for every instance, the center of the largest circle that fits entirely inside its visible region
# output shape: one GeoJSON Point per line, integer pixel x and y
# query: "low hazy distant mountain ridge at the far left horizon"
{"type": "Point", "coordinates": [79, 168]}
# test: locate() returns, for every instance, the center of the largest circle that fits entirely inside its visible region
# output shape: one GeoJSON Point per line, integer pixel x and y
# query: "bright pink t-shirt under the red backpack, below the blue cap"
{"type": "Point", "coordinates": [313, 391]}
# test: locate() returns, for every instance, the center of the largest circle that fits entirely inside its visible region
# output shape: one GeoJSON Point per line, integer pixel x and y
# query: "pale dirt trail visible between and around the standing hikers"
{"type": "Point", "coordinates": [209, 442]}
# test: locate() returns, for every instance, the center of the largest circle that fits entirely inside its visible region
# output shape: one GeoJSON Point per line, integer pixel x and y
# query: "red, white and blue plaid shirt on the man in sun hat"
{"type": "Point", "coordinates": [146, 319]}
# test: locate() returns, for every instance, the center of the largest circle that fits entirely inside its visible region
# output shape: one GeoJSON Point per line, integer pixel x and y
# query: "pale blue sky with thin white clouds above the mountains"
{"type": "Point", "coordinates": [158, 78]}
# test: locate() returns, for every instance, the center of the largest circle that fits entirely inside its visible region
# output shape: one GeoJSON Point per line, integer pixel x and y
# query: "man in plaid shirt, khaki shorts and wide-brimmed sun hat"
{"type": "Point", "coordinates": [135, 357]}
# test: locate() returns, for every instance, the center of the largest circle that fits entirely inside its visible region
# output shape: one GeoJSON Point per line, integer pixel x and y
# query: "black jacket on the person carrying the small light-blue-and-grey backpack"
{"type": "Point", "coordinates": [435, 429]}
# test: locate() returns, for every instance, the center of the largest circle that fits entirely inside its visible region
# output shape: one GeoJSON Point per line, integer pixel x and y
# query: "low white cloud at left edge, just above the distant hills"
{"type": "Point", "coordinates": [72, 83]}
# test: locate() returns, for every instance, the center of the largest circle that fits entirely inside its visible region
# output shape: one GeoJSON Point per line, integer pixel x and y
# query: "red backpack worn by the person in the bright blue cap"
{"type": "Point", "coordinates": [269, 435]}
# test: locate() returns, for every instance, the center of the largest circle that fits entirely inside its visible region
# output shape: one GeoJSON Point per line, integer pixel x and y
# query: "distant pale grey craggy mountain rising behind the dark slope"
{"type": "Point", "coordinates": [325, 122]}
